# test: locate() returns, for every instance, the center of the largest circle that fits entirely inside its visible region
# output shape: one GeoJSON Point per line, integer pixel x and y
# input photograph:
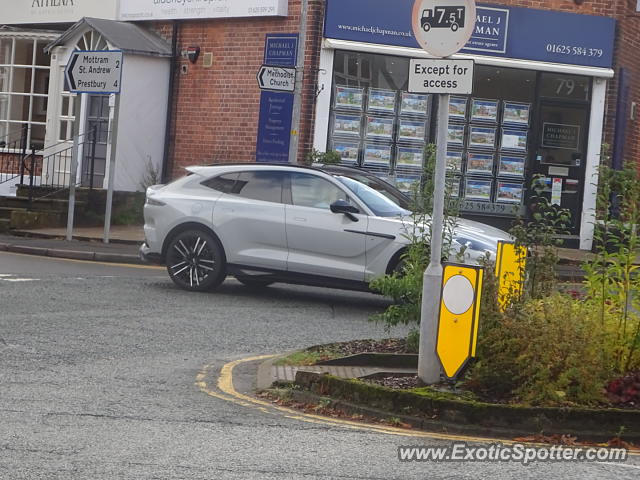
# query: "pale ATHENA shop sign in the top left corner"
{"type": "Point", "coordinates": [55, 11]}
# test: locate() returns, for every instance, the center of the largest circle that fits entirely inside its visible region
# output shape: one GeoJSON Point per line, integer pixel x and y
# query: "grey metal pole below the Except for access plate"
{"type": "Point", "coordinates": [428, 363]}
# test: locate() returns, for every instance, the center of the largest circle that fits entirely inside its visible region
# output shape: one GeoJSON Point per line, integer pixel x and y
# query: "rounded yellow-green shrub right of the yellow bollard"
{"type": "Point", "coordinates": [542, 352]}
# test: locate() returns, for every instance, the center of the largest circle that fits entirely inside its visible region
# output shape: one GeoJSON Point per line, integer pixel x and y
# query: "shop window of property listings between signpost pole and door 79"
{"type": "Point", "coordinates": [489, 136]}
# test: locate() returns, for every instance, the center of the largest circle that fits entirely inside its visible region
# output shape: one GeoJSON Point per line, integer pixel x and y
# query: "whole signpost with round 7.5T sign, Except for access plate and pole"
{"type": "Point", "coordinates": [442, 28]}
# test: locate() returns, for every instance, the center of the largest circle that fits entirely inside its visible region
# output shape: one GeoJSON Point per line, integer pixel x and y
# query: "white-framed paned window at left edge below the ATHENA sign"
{"type": "Point", "coordinates": [24, 85]}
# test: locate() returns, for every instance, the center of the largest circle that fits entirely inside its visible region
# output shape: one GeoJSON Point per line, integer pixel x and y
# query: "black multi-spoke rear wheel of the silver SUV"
{"type": "Point", "coordinates": [195, 261]}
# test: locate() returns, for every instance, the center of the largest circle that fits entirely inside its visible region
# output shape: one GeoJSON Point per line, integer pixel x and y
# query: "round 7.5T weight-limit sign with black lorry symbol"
{"type": "Point", "coordinates": [443, 27]}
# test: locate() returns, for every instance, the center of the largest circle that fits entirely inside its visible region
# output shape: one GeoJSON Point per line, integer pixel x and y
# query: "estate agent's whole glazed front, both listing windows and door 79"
{"type": "Point", "coordinates": [516, 124]}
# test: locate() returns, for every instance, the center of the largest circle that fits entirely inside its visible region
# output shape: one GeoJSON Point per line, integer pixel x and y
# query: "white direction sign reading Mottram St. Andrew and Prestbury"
{"type": "Point", "coordinates": [94, 71]}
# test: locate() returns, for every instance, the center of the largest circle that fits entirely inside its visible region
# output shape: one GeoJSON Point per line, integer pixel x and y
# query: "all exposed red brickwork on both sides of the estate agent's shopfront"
{"type": "Point", "coordinates": [215, 113]}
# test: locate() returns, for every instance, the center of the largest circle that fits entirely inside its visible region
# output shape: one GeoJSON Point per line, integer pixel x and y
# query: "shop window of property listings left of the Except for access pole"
{"type": "Point", "coordinates": [375, 123]}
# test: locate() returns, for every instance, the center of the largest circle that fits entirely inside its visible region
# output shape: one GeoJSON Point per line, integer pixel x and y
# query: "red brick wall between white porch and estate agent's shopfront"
{"type": "Point", "coordinates": [215, 113]}
